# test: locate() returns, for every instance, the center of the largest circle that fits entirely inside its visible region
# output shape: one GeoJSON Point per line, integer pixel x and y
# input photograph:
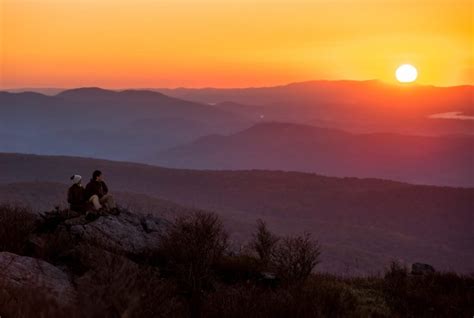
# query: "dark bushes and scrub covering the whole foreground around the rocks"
{"type": "Point", "coordinates": [193, 272]}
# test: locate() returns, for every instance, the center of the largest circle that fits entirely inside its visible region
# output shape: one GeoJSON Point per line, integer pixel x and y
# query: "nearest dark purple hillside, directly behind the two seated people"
{"type": "Point", "coordinates": [362, 223]}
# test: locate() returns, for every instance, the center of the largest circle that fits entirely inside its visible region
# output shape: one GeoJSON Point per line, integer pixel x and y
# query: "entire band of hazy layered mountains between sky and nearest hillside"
{"type": "Point", "coordinates": [339, 128]}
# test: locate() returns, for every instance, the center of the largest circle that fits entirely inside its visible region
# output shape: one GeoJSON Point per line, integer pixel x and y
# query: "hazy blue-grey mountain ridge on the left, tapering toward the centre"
{"type": "Point", "coordinates": [103, 123]}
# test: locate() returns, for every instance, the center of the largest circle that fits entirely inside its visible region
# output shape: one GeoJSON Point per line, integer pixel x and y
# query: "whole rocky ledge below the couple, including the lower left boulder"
{"type": "Point", "coordinates": [66, 248]}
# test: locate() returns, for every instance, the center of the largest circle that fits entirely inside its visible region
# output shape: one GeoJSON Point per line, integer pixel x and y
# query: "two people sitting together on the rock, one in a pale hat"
{"type": "Point", "coordinates": [95, 195]}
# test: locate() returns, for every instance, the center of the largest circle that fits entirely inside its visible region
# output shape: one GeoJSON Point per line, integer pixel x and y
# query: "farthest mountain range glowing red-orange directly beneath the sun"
{"type": "Point", "coordinates": [356, 106]}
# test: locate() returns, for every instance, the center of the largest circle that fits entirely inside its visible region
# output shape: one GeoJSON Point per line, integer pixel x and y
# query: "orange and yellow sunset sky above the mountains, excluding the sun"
{"type": "Point", "coordinates": [231, 43]}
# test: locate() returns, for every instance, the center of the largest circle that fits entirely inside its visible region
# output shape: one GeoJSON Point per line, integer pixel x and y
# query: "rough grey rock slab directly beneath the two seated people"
{"type": "Point", "coordinates": [126, 233]}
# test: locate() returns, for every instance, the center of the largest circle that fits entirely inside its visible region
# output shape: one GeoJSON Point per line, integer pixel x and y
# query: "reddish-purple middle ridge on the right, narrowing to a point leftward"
{"type": "Point", "coordinates": [443, 160]}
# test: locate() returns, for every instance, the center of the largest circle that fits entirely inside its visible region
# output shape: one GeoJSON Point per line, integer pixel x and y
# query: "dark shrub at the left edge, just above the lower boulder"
{"type": "Point", "coordinates": [16, 224]}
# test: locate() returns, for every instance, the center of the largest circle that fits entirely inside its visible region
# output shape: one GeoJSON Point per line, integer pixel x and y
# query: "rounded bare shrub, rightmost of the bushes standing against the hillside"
{"type": "Point", "coordinates": [294, 258]}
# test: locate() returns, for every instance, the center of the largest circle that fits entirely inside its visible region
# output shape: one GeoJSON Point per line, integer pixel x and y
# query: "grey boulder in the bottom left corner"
{"type": "Point", "coordinates": [44, 281]}
